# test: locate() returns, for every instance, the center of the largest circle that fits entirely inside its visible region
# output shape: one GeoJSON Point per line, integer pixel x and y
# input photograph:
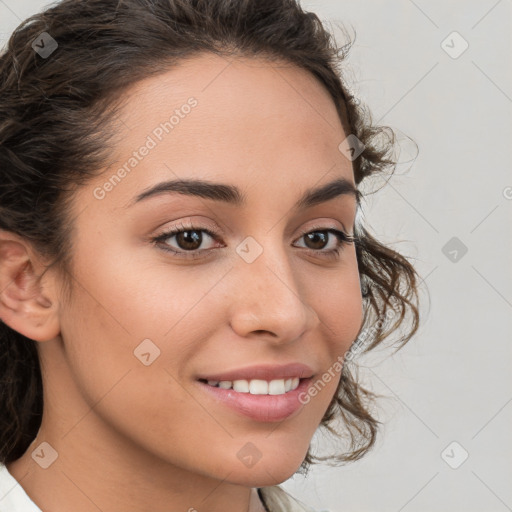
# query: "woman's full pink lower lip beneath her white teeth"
{"type": "Point", "coordinates": [264, 408]}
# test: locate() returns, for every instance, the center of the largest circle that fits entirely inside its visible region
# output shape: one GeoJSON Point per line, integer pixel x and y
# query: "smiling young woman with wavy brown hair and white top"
{"type": "Point", "coordinates": [182, 272]}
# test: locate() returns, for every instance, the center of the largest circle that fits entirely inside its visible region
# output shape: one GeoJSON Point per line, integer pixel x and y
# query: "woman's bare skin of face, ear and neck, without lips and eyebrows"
{"type": "Point", "coordinates": [149, 432]}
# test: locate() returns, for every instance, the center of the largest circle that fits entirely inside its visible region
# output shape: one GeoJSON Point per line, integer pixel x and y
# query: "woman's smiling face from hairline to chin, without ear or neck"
{"type": "Point", "coordinates": [250, 283]}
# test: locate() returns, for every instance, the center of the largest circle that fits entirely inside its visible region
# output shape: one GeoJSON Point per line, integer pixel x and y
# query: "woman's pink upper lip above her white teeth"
{"type": "Point", "coordinates": [263, 372]}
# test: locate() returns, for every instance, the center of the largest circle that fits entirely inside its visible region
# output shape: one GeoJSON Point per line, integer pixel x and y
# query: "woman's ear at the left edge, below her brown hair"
{"type": "Point", "coordinates": [28, 303]}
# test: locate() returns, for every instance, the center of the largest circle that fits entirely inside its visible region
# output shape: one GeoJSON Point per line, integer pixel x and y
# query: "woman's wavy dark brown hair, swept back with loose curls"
{"type": "Point", "coordinates": [57, 131]}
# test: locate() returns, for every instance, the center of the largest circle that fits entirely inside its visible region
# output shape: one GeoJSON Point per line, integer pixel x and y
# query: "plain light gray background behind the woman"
{"type": "Point", "coordinates": [452, 382]}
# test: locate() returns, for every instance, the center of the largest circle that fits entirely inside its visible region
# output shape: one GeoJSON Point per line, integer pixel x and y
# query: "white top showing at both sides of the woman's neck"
{"type": "Point", "coordinates": [13, 497]}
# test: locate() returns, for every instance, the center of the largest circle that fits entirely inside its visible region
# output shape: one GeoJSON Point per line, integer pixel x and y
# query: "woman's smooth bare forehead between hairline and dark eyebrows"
{"type": "Point", "coordinates": [254, 123]}
